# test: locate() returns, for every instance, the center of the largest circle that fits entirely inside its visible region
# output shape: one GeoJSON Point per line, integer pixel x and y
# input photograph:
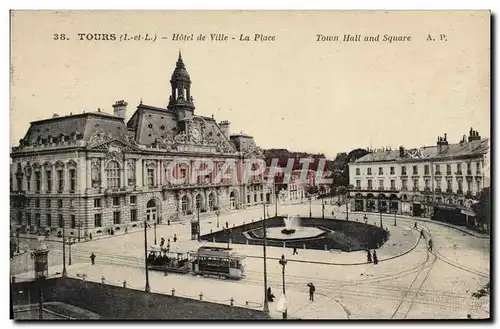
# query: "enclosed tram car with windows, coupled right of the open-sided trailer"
{"type": "Point", "coordinates": [220, 262]}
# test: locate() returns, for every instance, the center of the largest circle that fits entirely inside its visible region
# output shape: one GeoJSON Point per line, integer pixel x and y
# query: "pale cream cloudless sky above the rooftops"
{"type": "Point", "coordinates": [294, 92]}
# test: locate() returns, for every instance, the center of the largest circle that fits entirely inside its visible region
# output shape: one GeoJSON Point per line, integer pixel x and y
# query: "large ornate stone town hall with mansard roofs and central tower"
{"type": "Point", "coordinates": [94, 171]}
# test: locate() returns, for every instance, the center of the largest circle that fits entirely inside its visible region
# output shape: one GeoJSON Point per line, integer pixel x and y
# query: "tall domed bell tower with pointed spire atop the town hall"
{"type": "Point", "coordinates": [181, 100]}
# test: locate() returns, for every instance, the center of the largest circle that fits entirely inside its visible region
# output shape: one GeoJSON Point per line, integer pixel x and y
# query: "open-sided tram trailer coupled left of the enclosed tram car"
{"type": "Point", "coordinates": [168, 260]}
